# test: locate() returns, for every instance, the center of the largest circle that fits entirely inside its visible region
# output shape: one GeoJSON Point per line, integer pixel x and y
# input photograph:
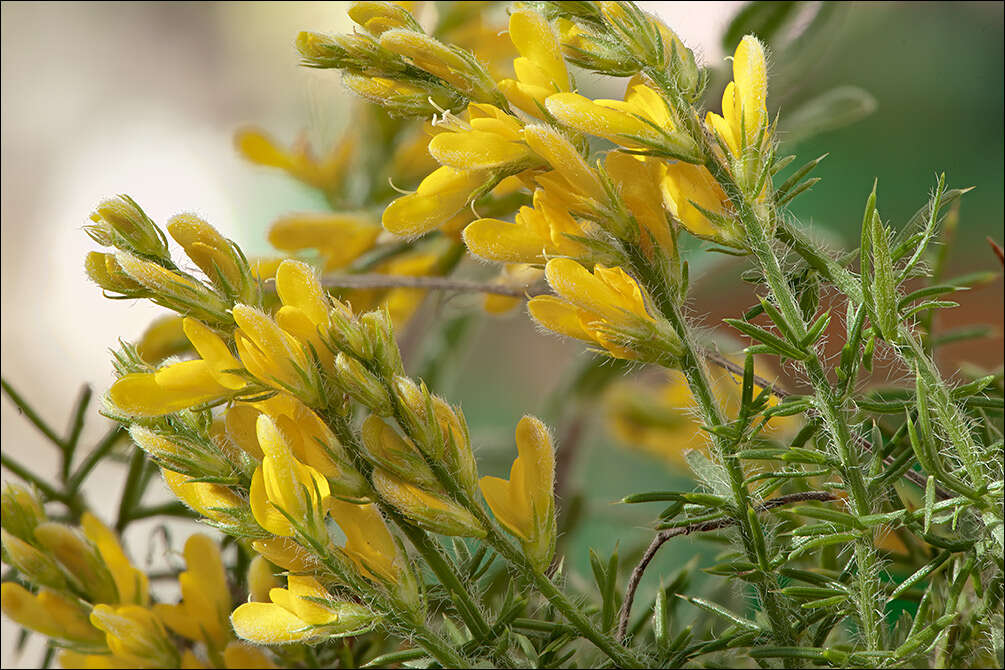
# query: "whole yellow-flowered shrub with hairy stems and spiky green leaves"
{"type": "Point", "coordinates": [863, 528]}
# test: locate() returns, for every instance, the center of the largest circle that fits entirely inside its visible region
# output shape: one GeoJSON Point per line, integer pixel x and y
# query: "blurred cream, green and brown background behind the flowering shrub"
{"type": "Point", "coordinates": [102, 99]}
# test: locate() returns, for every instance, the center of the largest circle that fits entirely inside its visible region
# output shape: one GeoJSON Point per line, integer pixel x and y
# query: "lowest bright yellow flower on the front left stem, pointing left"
{"type": "Point", "coordinates": [305, 612]}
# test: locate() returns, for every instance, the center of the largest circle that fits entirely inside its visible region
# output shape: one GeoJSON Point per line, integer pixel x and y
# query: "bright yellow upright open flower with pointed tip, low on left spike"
{"type": "Point", "coordinates": [285, 492]}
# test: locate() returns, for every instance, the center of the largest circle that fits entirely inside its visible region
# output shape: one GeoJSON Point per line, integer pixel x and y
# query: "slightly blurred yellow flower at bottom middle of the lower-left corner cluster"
{"type": "Point", "coordinates": [135, 635]}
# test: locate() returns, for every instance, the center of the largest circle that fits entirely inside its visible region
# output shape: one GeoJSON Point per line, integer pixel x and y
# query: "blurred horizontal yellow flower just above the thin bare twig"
{"type": "Point", "coordinates": [339, 238]}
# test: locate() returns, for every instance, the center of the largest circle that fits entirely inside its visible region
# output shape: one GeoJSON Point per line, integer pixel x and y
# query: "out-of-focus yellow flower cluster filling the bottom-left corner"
{"type": "Point", "coordinates": [87, 595]}
